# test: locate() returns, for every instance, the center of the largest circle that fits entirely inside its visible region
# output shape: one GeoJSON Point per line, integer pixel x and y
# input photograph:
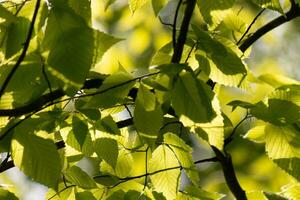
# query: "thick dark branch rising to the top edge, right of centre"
{"type": "Point", "coordinates": [183, 31]}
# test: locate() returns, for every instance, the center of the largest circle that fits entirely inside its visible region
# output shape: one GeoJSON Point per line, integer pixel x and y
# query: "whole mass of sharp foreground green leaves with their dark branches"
{"type": "Point", "coordinates": [138, 130]}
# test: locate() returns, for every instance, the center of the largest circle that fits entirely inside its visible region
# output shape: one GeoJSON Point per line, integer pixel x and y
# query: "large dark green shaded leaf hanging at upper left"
{"type": "Point", "coordinates": [72, 59]}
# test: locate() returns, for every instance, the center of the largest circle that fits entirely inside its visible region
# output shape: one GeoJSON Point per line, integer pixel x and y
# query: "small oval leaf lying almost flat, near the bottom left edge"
{"type": "Point", "coordinates": [80, 178]}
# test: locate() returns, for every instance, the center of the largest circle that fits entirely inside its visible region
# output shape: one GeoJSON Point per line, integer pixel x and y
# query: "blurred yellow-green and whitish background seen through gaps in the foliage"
{"type": "Point", "coordinates": [277, 52]}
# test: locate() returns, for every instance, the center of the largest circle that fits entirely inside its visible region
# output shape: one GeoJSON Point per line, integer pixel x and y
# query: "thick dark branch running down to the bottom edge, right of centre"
{"type": "Point", "coordinates": [229, 174]}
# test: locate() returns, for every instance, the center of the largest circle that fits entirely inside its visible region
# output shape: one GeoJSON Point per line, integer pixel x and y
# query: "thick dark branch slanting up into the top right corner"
{"type": "Point", "coordinates": [293, 13]}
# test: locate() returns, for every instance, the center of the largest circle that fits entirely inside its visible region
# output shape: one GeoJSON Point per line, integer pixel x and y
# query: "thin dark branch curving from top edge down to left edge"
{"type": "Point", "coordinates": [23, 54]}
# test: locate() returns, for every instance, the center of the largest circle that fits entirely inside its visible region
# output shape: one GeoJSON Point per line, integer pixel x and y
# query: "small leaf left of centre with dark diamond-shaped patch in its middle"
{"type": "Point", "coordinates": [79, 137]}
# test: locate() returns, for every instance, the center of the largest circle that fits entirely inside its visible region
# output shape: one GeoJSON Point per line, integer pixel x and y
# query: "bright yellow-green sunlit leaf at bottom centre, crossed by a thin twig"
{"type": "Point", "coordinates": [167, 181]}
